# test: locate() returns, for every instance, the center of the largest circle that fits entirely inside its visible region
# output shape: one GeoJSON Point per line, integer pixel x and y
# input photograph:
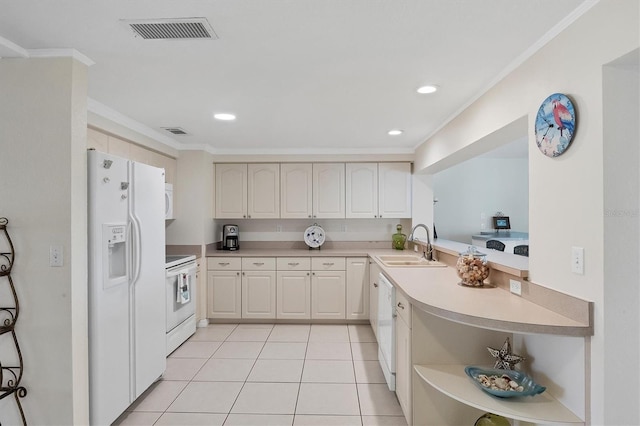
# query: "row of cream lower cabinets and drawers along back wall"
{"type": "Point", "coordinates": [288, 288]}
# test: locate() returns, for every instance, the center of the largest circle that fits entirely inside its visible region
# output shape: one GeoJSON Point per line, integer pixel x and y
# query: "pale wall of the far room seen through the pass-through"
{"type": "Point", "coordinates": [470, 193]}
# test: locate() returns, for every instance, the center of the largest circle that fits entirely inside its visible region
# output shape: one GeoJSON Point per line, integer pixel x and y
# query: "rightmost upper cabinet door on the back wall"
{"type": "Point", "coordinates": [394, 190]}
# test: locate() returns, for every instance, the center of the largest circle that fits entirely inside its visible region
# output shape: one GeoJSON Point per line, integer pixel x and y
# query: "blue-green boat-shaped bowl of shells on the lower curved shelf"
{"type": "Point", "coordinates": [503, 383]}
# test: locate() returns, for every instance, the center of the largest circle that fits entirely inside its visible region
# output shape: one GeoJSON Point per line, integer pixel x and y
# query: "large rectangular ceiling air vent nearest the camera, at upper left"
{"type": "Point", "coordinates": [172, 29]}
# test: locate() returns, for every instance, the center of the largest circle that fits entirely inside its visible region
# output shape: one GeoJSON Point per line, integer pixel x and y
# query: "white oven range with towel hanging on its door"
{"type": "Point", "coordinates": [180, 297]}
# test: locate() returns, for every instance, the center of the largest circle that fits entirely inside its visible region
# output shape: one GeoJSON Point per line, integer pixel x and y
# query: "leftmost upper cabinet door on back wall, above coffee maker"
{"type": "Point", "coordinates": [231, 191]}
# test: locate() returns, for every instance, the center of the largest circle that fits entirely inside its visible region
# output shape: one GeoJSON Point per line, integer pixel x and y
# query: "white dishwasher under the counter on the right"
{"type": "Point", "coordinates": [386, 330]}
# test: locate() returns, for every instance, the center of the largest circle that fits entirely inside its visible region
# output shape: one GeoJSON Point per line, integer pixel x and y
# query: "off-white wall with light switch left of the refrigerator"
{"type": "Point", "coordinates": [43, 194]}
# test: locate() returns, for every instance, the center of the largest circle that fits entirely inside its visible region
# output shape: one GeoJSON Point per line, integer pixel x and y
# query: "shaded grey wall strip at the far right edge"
{"type": "Point", "coordinates": [621, 224]}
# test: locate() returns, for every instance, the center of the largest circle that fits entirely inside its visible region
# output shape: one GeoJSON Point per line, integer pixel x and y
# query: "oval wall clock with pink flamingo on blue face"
{"type": "Point", "coordinates": [555, 125]}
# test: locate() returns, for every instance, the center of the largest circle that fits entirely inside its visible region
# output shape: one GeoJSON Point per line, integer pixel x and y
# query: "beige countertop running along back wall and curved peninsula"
{"type": "Point", "coordinates": [436, 290]}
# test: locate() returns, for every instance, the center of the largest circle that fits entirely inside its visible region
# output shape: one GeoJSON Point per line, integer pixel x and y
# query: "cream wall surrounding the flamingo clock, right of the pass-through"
{"type": "Point", "coordinates": [569, 187]}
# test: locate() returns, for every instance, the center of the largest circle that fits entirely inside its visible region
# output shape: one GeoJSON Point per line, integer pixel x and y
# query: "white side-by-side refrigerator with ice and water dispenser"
{"type": "Point", "coordinates": [127, 316]}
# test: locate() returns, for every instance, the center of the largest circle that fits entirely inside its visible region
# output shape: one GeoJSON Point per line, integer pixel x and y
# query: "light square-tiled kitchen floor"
{"type": "Point", "coordinates": [265, 374]}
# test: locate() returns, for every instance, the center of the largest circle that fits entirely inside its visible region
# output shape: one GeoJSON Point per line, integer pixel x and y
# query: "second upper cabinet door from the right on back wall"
{"type": "Point", "coordinates": [362, 190]}
